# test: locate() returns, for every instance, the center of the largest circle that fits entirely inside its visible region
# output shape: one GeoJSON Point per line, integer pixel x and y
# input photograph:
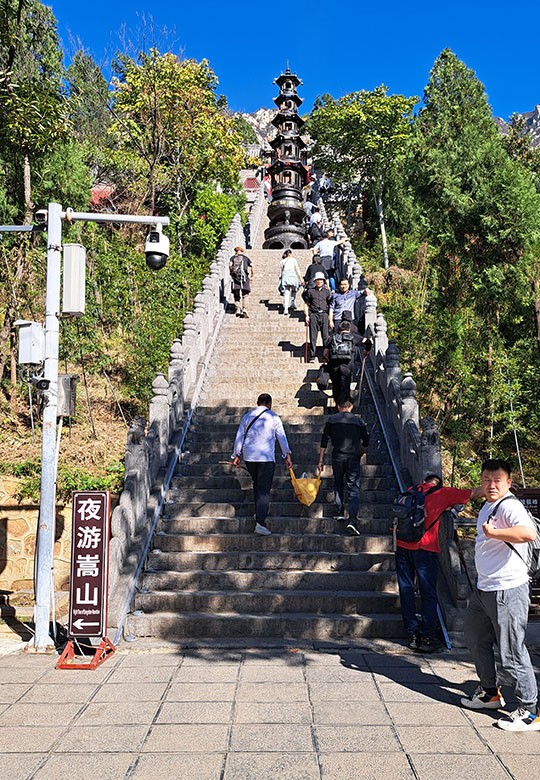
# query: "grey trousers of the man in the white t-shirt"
{"type": "Point", "coordinates": [500, 617]}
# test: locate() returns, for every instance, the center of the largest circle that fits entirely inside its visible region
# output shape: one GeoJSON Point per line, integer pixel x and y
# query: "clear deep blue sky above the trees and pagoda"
{"type": "Point", "coordinates": [336, 47]}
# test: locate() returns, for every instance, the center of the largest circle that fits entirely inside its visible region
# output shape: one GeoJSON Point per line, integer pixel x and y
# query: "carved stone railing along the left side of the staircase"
{"type": "Point", "coordinates": [153, 446]}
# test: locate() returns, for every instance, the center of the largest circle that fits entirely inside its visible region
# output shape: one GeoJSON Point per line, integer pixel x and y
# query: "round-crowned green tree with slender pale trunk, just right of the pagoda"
{"type": "Point", "coordinates": [358, 138]}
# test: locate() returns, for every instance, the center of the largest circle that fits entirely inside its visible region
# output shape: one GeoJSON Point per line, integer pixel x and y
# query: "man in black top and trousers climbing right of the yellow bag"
{"type": "Point", "coordinates": [348, 434]}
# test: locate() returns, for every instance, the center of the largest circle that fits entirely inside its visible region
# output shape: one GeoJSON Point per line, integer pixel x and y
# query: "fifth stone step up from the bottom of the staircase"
{"type": "Point", "coordinates": [274, 543]}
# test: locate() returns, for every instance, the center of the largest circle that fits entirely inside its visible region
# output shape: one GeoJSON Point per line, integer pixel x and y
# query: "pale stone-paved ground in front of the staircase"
{"type": "Point", "coordinates": [260, 713]}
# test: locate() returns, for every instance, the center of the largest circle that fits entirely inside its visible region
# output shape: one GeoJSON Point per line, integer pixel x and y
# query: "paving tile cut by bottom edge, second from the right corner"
{"type": "Point", "coordinates": [451, 767]}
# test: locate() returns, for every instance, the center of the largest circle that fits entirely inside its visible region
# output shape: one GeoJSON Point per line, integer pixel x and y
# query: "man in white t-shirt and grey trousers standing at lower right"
{"type": "Point", "coordinates": [499, 606]}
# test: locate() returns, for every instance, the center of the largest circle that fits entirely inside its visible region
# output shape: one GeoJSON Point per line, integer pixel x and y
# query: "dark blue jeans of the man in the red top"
{"type": "Point", "coordinates": [422, 564]}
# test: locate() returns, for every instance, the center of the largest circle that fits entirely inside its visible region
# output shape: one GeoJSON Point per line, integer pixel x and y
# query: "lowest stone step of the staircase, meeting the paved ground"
{"type": "Point", "coordinates": [285, 626]}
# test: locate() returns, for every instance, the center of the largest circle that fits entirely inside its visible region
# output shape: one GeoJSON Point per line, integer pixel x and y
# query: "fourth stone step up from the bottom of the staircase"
{"type": "Point", "coordinates": [298, 561]}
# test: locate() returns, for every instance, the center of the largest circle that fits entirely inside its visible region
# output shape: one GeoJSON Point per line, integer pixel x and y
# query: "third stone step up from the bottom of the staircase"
{"type": "Point", "coordinates": [282, 579]}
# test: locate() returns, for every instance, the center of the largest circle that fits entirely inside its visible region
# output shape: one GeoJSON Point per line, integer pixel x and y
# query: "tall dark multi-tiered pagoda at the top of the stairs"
{"type": "Point", "coordinates": [288, 170]}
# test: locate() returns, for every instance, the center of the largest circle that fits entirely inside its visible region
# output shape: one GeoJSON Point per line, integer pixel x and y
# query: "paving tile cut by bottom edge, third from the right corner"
{"type": "Point", "coordinates": [366, 766]}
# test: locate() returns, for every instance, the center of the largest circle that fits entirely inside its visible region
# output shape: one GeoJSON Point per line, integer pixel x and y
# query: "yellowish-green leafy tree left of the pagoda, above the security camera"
{"type": "Point", "coordinates": [167, 125]}
